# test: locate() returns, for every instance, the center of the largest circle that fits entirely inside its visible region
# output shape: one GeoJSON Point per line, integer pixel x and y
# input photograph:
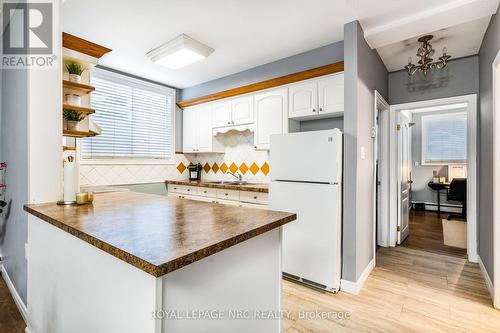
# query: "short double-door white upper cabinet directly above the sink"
{"type": "Point", "coordinates": [232, 112]}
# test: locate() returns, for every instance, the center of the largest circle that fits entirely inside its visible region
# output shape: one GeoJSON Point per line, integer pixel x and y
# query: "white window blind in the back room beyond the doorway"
{"type": "Point", "coordinates": [444, 138]}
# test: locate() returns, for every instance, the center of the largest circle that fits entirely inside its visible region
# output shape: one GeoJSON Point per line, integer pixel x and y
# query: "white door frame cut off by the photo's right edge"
{"type": "Point", "coordinates": [496, 181]}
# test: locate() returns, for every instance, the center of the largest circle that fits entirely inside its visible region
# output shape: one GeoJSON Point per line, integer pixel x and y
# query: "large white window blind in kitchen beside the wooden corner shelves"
{"type": "Point", "coordinates": [135, 116]}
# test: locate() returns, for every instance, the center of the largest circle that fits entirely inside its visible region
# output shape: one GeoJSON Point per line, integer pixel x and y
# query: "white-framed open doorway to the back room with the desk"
{"type": "Point", "coordinates": [441, 115]}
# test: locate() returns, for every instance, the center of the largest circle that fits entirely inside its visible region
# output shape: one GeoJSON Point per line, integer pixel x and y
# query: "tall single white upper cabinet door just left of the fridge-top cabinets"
{"type": "Point", "coordinates": [270, 110]}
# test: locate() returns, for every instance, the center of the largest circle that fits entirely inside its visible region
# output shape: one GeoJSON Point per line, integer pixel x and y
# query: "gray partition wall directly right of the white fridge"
{"type": "Point", "coordinates": [364, 73]}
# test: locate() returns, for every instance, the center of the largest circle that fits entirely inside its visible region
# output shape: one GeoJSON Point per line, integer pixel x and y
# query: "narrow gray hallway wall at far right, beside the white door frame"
{"type": "Point", "coordinates": [489, 50]}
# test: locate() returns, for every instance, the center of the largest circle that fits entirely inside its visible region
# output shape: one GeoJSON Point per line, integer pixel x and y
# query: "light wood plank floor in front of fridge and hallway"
{"type": "Point", "coordinates": [409, 290]}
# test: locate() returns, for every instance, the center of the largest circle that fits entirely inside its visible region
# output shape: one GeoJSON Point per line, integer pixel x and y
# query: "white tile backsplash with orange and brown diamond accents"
{"type": "Point", "coordinates": [239, 155]}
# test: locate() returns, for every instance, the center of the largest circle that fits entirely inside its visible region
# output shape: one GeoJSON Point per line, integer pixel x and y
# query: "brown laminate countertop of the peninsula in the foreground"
{"type": "Point", "coordinates": [159, 234]}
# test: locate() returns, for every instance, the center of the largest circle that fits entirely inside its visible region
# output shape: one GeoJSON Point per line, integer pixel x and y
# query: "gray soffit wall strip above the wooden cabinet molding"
{"type": "Point", "coordinates": [315, 58]}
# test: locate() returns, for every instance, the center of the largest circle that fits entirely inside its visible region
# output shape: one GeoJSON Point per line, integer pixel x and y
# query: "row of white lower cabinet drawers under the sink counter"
{"type": "Point", "coordinates": [222, 196]}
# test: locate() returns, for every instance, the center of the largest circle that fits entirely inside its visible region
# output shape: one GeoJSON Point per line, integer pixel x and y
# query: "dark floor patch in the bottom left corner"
{"type": "Point", "coordinates": [10, 318]}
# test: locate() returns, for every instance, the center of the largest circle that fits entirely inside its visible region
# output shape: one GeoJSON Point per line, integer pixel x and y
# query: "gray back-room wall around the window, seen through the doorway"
{"type": "Point", "coordinates": [422, 174]}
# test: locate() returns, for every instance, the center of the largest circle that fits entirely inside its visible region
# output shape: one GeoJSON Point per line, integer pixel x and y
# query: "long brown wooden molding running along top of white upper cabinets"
{"type": "Point", "coordinates": [279, 81]}
